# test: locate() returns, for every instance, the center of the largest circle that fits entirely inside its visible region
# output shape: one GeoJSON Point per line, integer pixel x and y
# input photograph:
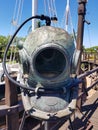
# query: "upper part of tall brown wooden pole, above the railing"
{"type": "Point", "coordinates": [80, 31]}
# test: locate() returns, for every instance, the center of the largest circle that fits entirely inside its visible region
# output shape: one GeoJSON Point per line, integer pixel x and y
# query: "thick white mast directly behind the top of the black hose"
{"type": "Point", "coordinates": [34, 12]}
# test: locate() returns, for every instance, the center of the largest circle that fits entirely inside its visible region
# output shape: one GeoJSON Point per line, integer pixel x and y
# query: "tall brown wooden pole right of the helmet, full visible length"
{"type": "Point", "coordinates": [79, 41]}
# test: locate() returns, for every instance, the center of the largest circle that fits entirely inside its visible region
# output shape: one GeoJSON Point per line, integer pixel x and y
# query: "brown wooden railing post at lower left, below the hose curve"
{"type": "Point", "coordinates": [11, 99]}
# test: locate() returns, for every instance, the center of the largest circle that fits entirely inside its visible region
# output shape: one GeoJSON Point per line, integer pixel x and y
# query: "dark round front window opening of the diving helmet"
{"type": "Point", "coordinates": [50, 62]}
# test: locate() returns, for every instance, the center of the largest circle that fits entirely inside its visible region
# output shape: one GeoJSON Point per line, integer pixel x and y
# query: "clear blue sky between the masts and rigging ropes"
{"type": "Point", "coordinates": [7, 8]}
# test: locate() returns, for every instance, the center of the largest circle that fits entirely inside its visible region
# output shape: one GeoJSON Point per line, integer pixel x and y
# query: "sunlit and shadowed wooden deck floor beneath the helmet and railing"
{"type": "Point", "coordinates": [87, 119]}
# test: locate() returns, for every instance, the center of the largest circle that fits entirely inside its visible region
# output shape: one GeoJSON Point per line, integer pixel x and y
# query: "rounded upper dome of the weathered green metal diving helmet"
{"type": "Point", "coordinates": [46, 56]}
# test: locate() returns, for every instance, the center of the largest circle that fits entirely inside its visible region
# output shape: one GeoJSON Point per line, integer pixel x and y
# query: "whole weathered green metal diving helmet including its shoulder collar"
{"type": "Point", "coordinates": [48, 59]}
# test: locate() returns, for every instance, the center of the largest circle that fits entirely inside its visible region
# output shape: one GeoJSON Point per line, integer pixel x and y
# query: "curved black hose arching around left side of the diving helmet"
{"type": "Point", "coordinates": [42, 17]}
